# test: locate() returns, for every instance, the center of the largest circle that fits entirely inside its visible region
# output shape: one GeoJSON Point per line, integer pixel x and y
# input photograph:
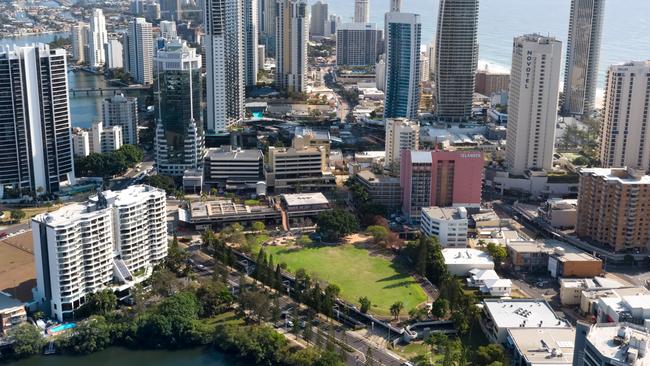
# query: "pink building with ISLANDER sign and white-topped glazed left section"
{"type": "Point", "coordinates": [440, 178]}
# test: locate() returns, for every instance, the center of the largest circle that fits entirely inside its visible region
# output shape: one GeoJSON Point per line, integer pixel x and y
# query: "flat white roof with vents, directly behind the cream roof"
{"type": "Point", "coordinates": [523, 313]}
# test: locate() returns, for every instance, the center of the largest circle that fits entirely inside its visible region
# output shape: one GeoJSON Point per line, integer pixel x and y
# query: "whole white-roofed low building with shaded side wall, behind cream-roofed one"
{"type": "Point", "coordinates": [499, 315]}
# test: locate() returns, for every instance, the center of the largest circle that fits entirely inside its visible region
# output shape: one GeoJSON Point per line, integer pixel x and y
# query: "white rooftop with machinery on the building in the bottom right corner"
{"type": "Point", "coordinates": [625, 343]}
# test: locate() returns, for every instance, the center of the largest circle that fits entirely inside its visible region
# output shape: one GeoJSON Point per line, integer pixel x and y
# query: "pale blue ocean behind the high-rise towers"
{"type": "Point", "coordinates": [626, 30]}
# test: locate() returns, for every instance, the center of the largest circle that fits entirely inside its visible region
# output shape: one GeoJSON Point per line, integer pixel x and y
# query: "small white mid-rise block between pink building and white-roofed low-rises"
{"type": "Point", "coordinates": [448, 224]}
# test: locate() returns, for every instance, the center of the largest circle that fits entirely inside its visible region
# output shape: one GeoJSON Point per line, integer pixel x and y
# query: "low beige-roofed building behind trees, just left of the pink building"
{"type": "Point", "coordinates": [381, 189]}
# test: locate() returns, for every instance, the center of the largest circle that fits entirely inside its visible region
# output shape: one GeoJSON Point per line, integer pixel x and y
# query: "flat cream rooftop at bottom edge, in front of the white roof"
{"type": "Point", "coordinates": [540, 346]}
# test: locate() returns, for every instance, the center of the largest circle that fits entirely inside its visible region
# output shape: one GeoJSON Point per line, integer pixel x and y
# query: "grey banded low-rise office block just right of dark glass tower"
{"type": "Point", "coordinates": [233, 169]}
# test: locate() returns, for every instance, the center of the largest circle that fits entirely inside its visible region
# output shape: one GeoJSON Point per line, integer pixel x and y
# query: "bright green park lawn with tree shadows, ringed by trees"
{"type": "Point", "coordinates": [357, 274]}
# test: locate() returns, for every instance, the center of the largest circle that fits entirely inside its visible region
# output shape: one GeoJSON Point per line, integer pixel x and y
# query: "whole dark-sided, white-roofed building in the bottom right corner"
{"type": "Point", "coordinates": [612, 344]}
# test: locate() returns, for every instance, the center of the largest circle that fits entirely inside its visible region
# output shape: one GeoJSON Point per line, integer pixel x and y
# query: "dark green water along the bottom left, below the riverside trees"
{"type": "Point", "coordinates": [124, 357]}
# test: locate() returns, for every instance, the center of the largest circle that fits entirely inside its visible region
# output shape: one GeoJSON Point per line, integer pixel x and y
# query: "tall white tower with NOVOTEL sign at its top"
{"type": "Point", "coordinates": [532, 108]}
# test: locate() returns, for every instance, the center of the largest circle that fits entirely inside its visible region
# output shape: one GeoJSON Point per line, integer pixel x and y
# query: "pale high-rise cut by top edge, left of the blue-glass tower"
{"type": "Point", "coordinates": [292, 34]}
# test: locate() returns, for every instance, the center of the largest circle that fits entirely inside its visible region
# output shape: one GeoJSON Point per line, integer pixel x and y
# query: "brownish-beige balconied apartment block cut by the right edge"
{"type": "Point", "coordinates": [613, 208]}
